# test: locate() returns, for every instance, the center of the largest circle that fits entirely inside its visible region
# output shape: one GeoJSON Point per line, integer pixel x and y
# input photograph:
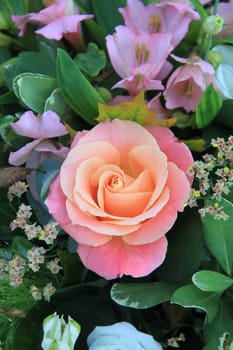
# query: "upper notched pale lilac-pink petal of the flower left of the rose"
{"type": "Point", "coordinates": [43, 126]}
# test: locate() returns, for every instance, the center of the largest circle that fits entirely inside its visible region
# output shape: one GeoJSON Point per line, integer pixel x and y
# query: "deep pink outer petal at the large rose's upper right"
{"type": "Point", "coordinates": [176, 151]}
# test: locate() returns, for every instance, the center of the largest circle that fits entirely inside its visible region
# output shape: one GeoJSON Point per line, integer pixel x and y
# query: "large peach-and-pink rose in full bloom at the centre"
{"type": "Point", "coordinates": [118, 194]}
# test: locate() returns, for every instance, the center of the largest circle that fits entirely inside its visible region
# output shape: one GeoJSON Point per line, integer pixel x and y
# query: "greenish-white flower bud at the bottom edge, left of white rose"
{"type": "Point", "coordinates": [59, 335]}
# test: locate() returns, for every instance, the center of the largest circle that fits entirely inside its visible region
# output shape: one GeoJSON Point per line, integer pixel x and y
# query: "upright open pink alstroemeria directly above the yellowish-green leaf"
{"type": "Point", "coordinates": [140, 59]}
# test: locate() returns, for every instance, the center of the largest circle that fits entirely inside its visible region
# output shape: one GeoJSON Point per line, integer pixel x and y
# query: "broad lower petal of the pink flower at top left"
{"type": "Point", "coordinates": [57, 28]}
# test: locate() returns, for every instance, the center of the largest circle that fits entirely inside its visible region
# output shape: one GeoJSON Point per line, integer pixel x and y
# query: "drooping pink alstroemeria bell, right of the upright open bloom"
{"type": "Point", "coordinates": [187, 83]}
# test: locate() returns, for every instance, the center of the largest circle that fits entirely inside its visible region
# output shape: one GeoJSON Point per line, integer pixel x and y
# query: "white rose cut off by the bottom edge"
{"type": "Point", "coordinates": [121, 336]}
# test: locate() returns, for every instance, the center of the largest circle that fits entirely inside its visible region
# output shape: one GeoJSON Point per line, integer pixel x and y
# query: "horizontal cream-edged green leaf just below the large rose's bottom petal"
{"type": "Point", "coordinates": [141, 295]}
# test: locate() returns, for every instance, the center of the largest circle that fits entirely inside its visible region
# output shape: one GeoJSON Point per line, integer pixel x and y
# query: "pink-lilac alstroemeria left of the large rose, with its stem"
{"type": "Point", "coordinates": [41, 129]}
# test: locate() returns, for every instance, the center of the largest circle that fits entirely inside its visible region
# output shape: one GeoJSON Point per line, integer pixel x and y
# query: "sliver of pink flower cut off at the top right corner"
{"type": "Point", "coordinates": [225, 10]}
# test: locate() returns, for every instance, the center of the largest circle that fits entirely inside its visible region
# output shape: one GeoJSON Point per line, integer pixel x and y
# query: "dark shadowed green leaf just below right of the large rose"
{"type": "Point", "coordinates": [185, 247]}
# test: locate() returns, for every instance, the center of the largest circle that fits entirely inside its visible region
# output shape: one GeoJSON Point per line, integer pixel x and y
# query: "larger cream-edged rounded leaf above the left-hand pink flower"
{"type": "Point", "coordinates": [33, 89]}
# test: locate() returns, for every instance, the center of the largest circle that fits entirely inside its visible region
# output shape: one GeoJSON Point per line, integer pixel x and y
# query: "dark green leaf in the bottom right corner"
{"type": "Point", "coordinates": [222, 323]}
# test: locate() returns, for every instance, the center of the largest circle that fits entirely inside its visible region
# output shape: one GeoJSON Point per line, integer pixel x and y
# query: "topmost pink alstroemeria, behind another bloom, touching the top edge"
{"type": "Point", "coordinates": [166, 17]}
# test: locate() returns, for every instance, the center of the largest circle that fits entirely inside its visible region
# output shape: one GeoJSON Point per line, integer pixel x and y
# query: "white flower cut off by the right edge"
{"type": "Point", "coordinates": [224, 72]}
